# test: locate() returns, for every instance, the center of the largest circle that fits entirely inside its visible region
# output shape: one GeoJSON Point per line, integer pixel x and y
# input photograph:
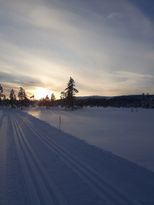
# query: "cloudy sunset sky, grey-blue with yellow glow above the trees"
{"type": "Point", "coordinates": [107, 46]}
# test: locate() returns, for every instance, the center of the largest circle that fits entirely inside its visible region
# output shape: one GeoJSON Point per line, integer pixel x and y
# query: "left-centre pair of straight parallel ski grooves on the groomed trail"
{"type": "Point", "coordinates": [40, 185]}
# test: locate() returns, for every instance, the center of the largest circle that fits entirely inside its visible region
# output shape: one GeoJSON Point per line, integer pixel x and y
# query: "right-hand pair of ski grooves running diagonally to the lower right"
{"type": "Point", "coordinates": [89, 175]}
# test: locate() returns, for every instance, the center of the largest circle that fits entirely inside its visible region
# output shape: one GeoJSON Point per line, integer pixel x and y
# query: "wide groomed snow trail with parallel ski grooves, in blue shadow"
{"type": "Point", "coordinates": [42, 165]}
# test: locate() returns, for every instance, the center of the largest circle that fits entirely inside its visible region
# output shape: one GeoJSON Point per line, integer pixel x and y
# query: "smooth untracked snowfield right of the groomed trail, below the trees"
{"type": "Point", "coordinates": [125, 132]}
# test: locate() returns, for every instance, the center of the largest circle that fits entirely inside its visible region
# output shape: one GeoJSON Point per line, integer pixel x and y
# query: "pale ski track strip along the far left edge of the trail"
{"type": "Point", "coordinates": [10, 175]}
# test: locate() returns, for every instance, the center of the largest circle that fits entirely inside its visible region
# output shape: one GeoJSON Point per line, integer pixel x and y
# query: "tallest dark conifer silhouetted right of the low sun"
{"type": "Point", "coordinates": [70, 92]}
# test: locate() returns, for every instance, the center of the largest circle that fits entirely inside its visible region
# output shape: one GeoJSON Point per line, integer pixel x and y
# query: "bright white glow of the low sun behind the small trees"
{"type": "Point", "coordinates": [40, 92]}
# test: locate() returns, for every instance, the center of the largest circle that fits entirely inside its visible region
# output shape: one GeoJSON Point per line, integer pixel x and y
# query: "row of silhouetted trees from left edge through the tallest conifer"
{"type": "Point", "coordinates": [67, 98]}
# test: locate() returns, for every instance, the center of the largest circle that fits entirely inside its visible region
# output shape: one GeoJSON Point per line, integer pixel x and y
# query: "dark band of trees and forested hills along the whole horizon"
{"type": "Point", "coordinates": [68, 100]}
